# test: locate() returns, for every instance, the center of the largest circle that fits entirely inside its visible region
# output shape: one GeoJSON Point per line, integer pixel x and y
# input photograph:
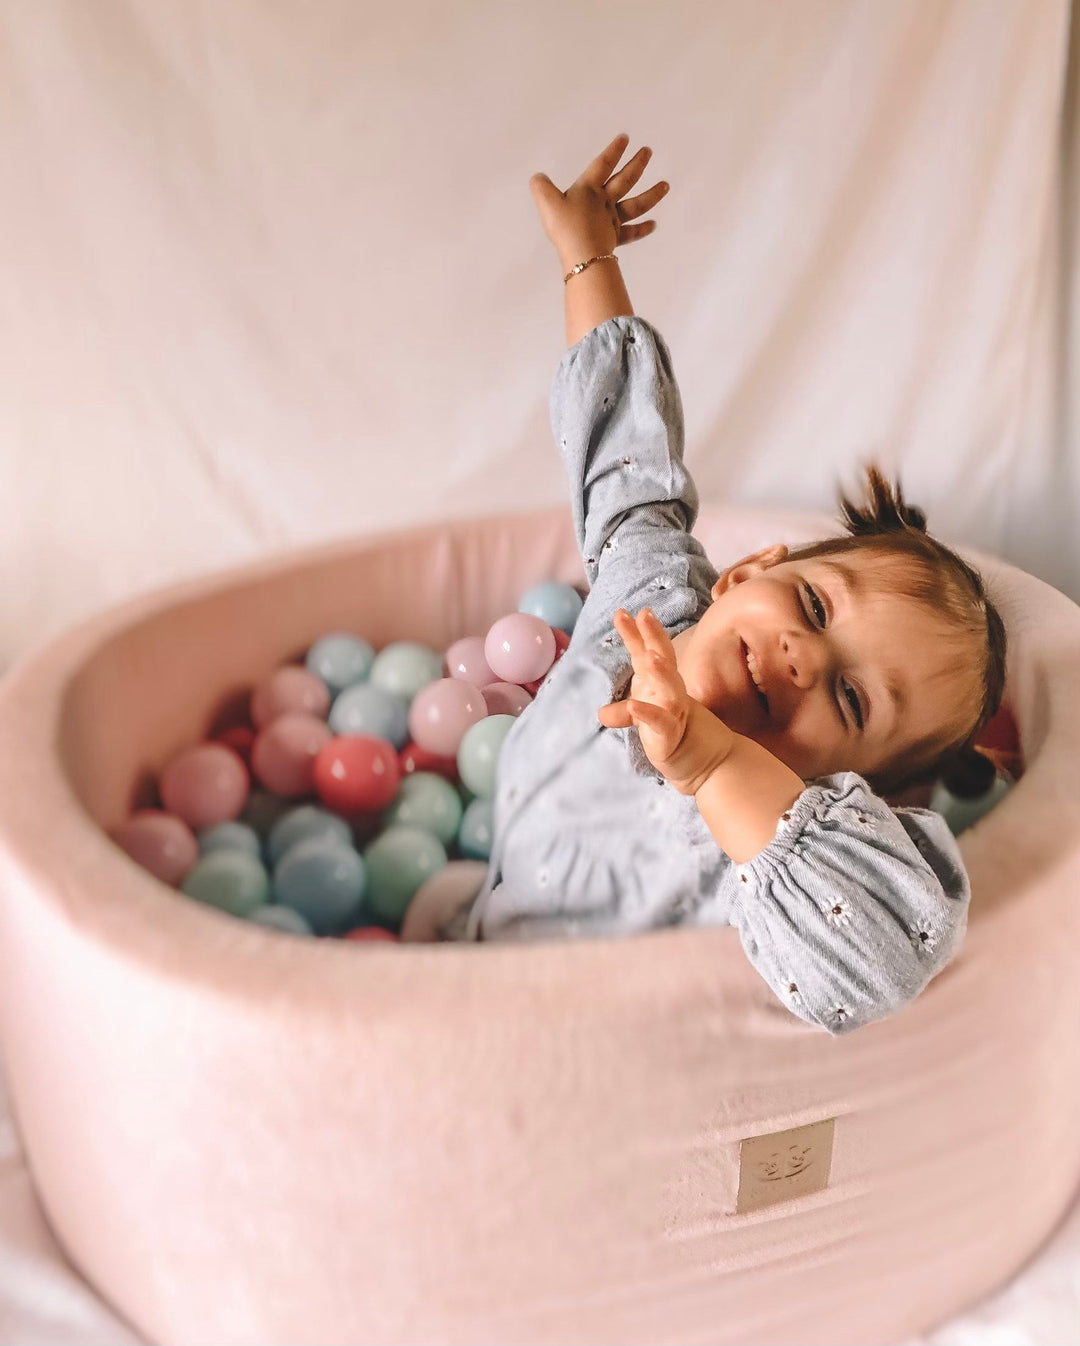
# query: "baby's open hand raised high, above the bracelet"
{"type": "Point", "coordinates": [590, 219]}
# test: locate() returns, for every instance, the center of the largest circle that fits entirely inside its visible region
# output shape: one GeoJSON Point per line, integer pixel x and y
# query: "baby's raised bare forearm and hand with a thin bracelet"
{"type": "Point", "coordinates": [589, 221]}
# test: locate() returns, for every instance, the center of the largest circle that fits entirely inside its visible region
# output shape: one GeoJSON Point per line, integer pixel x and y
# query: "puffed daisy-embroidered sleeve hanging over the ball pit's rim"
{"type": "Point", "coordinates": [853, 908]}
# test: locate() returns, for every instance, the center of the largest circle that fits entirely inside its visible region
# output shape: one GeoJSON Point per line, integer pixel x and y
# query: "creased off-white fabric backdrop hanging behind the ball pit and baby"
{"type": "Point", "coordinates": [271, 275]}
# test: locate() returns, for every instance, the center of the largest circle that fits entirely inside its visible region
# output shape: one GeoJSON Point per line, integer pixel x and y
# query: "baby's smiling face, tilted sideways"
{"type": "Point", "coordinates": [825, 659]}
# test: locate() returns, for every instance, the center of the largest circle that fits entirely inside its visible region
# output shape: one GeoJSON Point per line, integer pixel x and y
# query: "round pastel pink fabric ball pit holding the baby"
{"type": "Point", "coordinates": [248, 1138]}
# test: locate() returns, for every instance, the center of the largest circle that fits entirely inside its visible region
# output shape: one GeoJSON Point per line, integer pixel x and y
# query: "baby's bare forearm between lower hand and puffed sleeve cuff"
{"type": "Point", "coordinates": [745, 796]}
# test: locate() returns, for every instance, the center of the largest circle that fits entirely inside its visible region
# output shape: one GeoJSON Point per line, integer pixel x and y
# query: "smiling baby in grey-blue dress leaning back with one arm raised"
{"type": "Point", "coordinates": [714, 749]}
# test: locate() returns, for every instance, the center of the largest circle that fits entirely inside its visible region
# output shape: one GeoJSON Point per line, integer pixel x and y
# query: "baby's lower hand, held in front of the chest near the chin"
{"type": "Point", "coordinates": [683, 740]}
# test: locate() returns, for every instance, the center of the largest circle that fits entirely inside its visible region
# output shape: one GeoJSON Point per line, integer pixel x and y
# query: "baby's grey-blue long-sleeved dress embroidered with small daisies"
{"type": "Point", "coordinates": [853, 907]}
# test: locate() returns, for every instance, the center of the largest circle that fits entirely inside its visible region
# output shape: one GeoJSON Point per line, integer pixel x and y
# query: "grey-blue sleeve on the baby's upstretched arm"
{"type": "Point", "coordinates": [617, 419]}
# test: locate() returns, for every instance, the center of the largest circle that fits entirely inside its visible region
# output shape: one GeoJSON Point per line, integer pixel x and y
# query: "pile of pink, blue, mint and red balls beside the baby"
{"type": "Point", "coordinates": [372, 772]}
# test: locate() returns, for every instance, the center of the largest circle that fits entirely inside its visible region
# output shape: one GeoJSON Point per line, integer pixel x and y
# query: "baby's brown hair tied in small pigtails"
{"type": "Point", "coordinates": [884, 528]}
